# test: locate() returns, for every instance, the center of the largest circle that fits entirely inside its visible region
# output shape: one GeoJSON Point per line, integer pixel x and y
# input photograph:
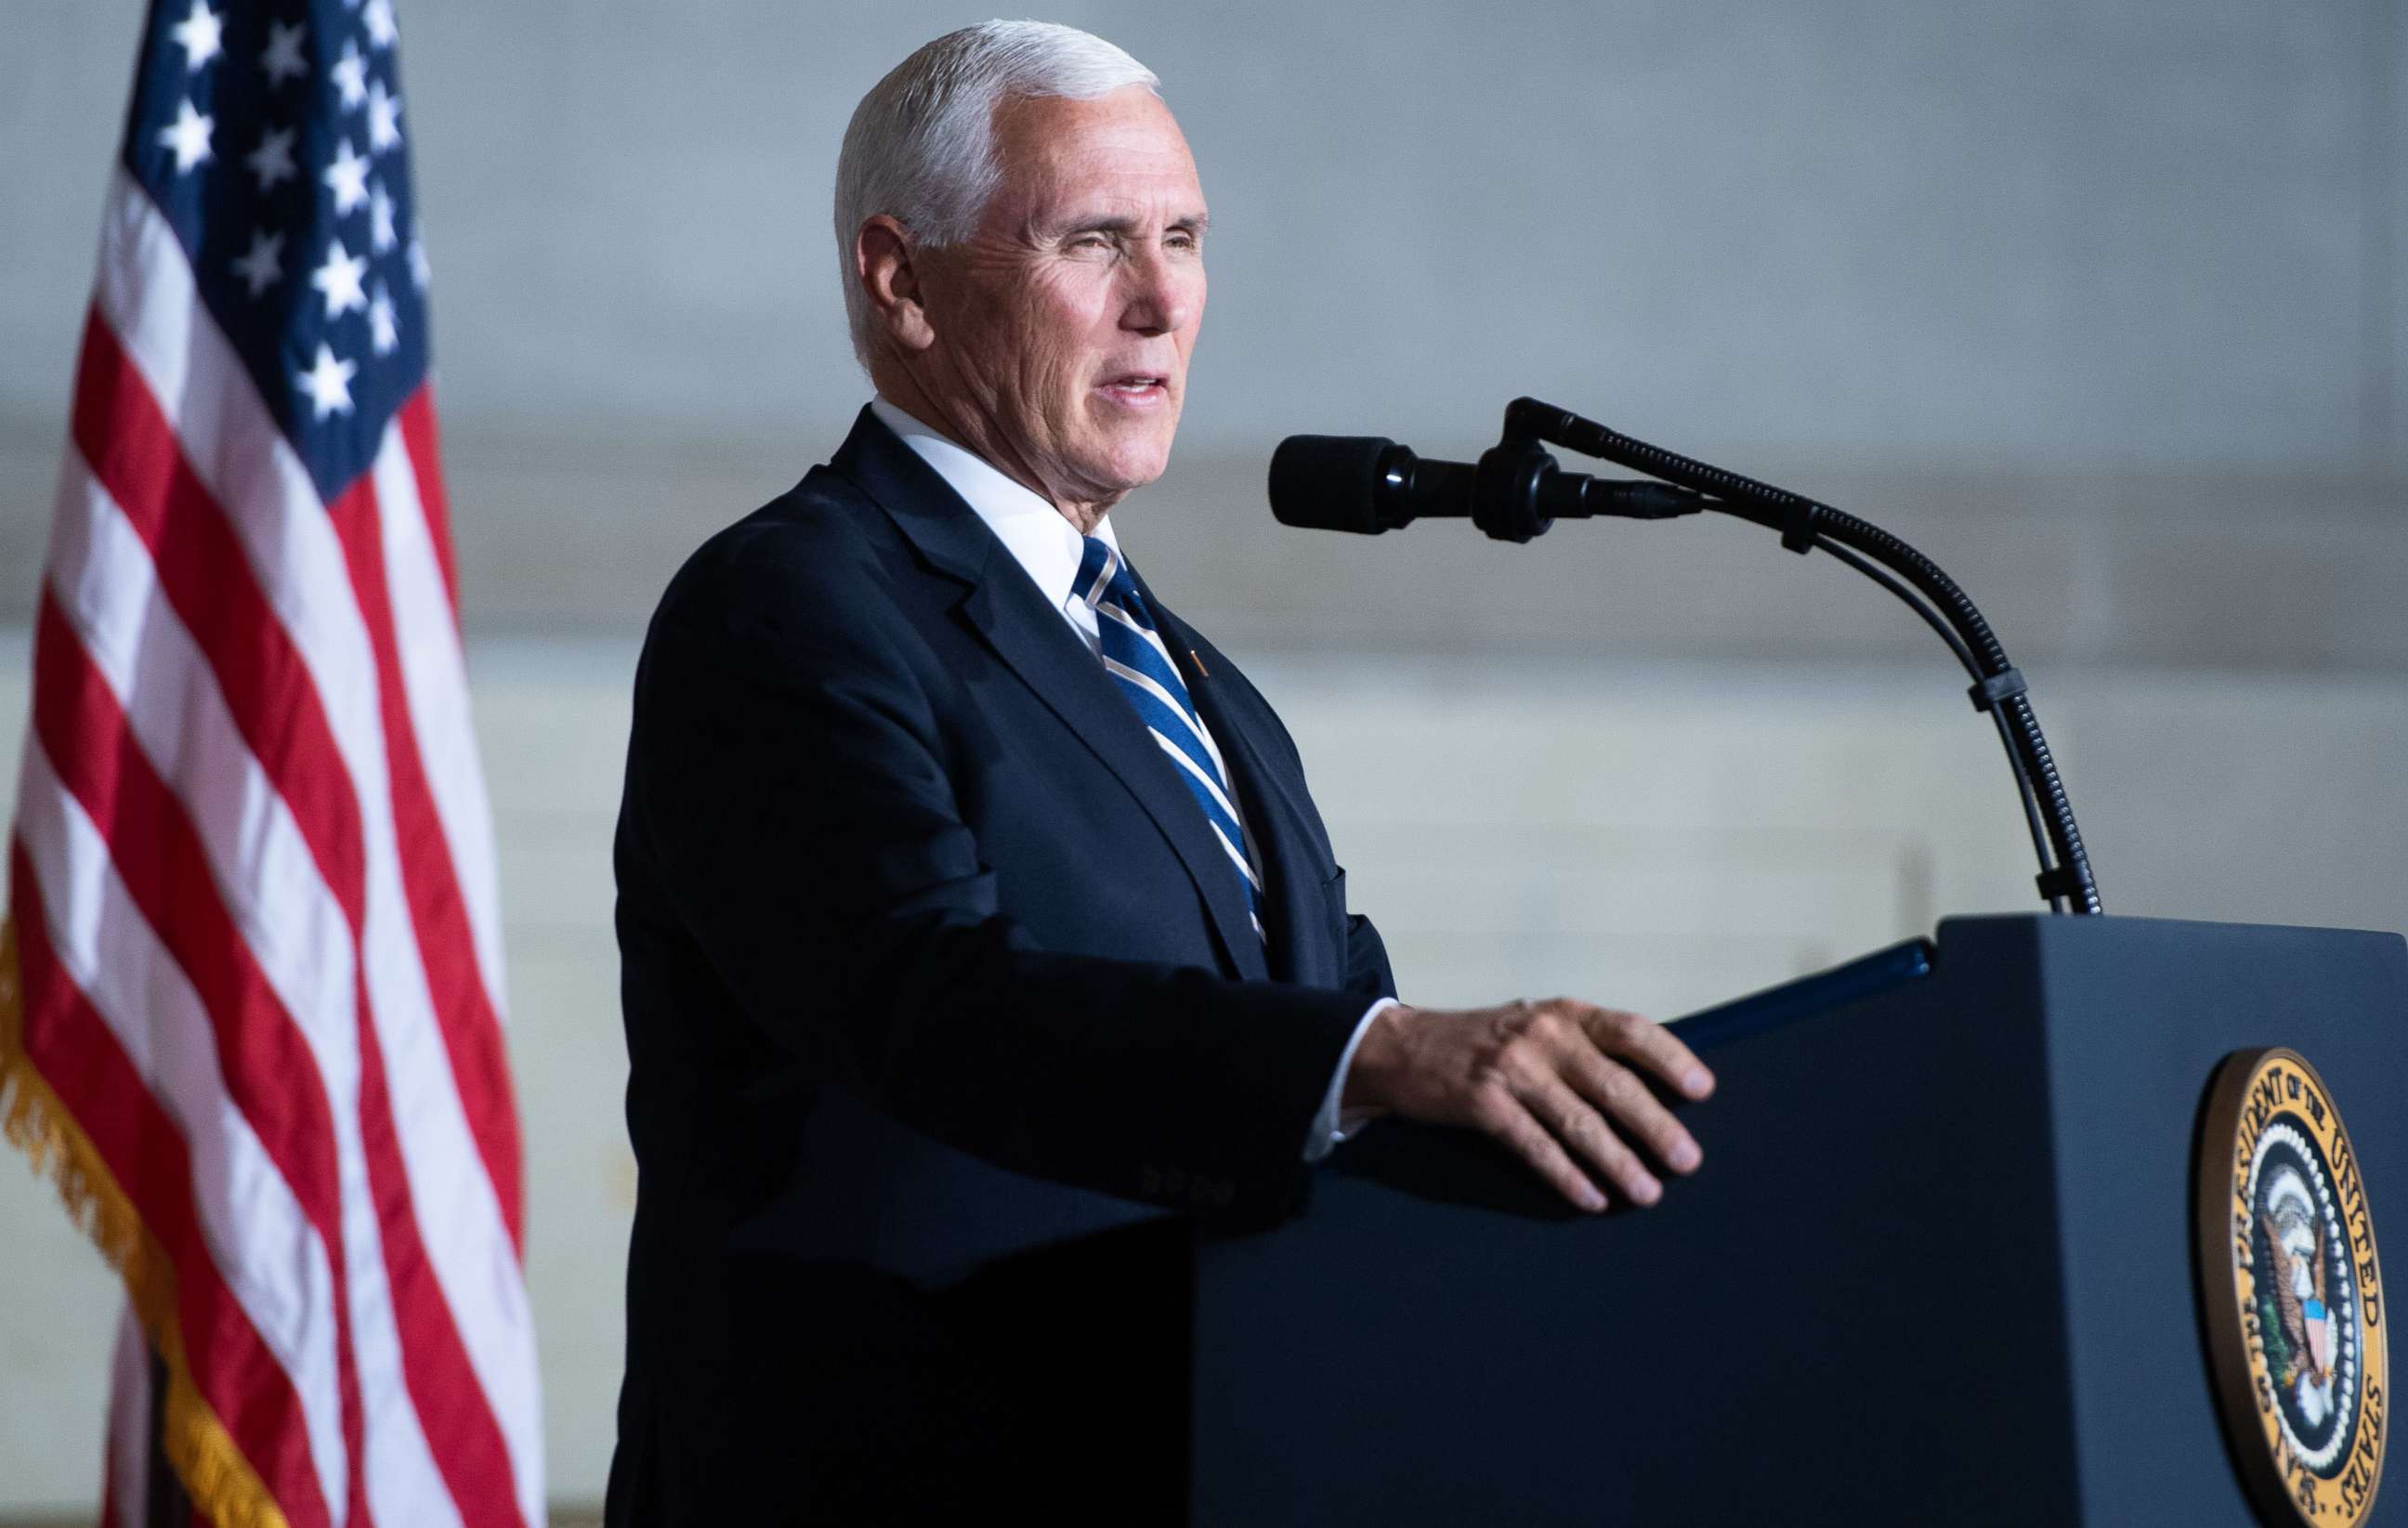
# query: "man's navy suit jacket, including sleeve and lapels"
{"type": "Point", "coordinates": [928, 957]}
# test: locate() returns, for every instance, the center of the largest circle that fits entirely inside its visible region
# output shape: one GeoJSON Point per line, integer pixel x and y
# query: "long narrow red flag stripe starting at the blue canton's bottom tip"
{"type": "Point", "coordinates": [447, 942]}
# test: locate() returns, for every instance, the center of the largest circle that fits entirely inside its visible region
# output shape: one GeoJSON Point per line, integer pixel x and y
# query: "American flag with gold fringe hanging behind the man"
{"type": "Point", "coordinates": [256, 1007]}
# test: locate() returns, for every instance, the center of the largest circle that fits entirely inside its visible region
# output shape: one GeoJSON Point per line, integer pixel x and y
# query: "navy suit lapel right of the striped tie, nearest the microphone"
{"type": "Point", "coordinates": [1292, 877]}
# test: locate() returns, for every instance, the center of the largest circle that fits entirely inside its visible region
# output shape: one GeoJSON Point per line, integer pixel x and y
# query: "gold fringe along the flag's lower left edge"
{"type": "Point", "coordinates": [216, 1474]}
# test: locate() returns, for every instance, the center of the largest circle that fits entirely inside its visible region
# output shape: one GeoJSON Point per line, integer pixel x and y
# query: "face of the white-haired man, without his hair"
{"type": "Point", "coordinates": [1066, 324]}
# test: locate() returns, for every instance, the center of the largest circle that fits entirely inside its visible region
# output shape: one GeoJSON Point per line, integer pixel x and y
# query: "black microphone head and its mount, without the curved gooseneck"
{"type": "Point", "coordinates": [1371, 485]}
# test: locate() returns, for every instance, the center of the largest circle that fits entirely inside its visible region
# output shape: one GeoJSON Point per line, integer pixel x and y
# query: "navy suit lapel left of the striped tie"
{"type": "Point", "coordinates": [1039, 646]}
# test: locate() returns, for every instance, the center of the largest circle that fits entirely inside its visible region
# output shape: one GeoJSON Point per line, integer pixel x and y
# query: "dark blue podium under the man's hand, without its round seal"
{"type": "Point", "coordinates": [1937, 1269]}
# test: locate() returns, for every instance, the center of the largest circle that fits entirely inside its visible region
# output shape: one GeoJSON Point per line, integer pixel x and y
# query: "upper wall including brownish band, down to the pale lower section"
{"type": "Point", "coordinates": [2103, 302]}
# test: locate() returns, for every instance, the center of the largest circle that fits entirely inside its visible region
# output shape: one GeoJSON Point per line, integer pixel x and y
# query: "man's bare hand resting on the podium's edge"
{"type": "Point", "coordinates": [1547, 1079]}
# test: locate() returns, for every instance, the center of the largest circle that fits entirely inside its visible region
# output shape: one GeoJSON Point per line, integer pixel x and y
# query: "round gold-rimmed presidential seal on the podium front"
{"type": "Point", "coordinates": [2294, 1293]}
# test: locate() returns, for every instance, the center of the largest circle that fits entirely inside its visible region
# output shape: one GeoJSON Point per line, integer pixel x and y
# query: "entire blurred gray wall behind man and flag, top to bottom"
{"type": "Point", "coordinates": [2101, 304]}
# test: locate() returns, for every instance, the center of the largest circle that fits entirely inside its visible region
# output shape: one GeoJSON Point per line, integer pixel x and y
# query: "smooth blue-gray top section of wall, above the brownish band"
{"type": "Point", "coordinates": [1860, 232]}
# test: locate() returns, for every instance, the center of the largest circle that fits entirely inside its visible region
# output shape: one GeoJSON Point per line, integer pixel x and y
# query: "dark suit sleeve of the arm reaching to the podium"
{"type": "Point", "coordinates": [793, 803]}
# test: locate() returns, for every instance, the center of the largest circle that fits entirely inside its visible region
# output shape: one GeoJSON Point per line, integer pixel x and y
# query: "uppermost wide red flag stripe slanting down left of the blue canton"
{"type": "Point", "coordinates": [136, 456]}
